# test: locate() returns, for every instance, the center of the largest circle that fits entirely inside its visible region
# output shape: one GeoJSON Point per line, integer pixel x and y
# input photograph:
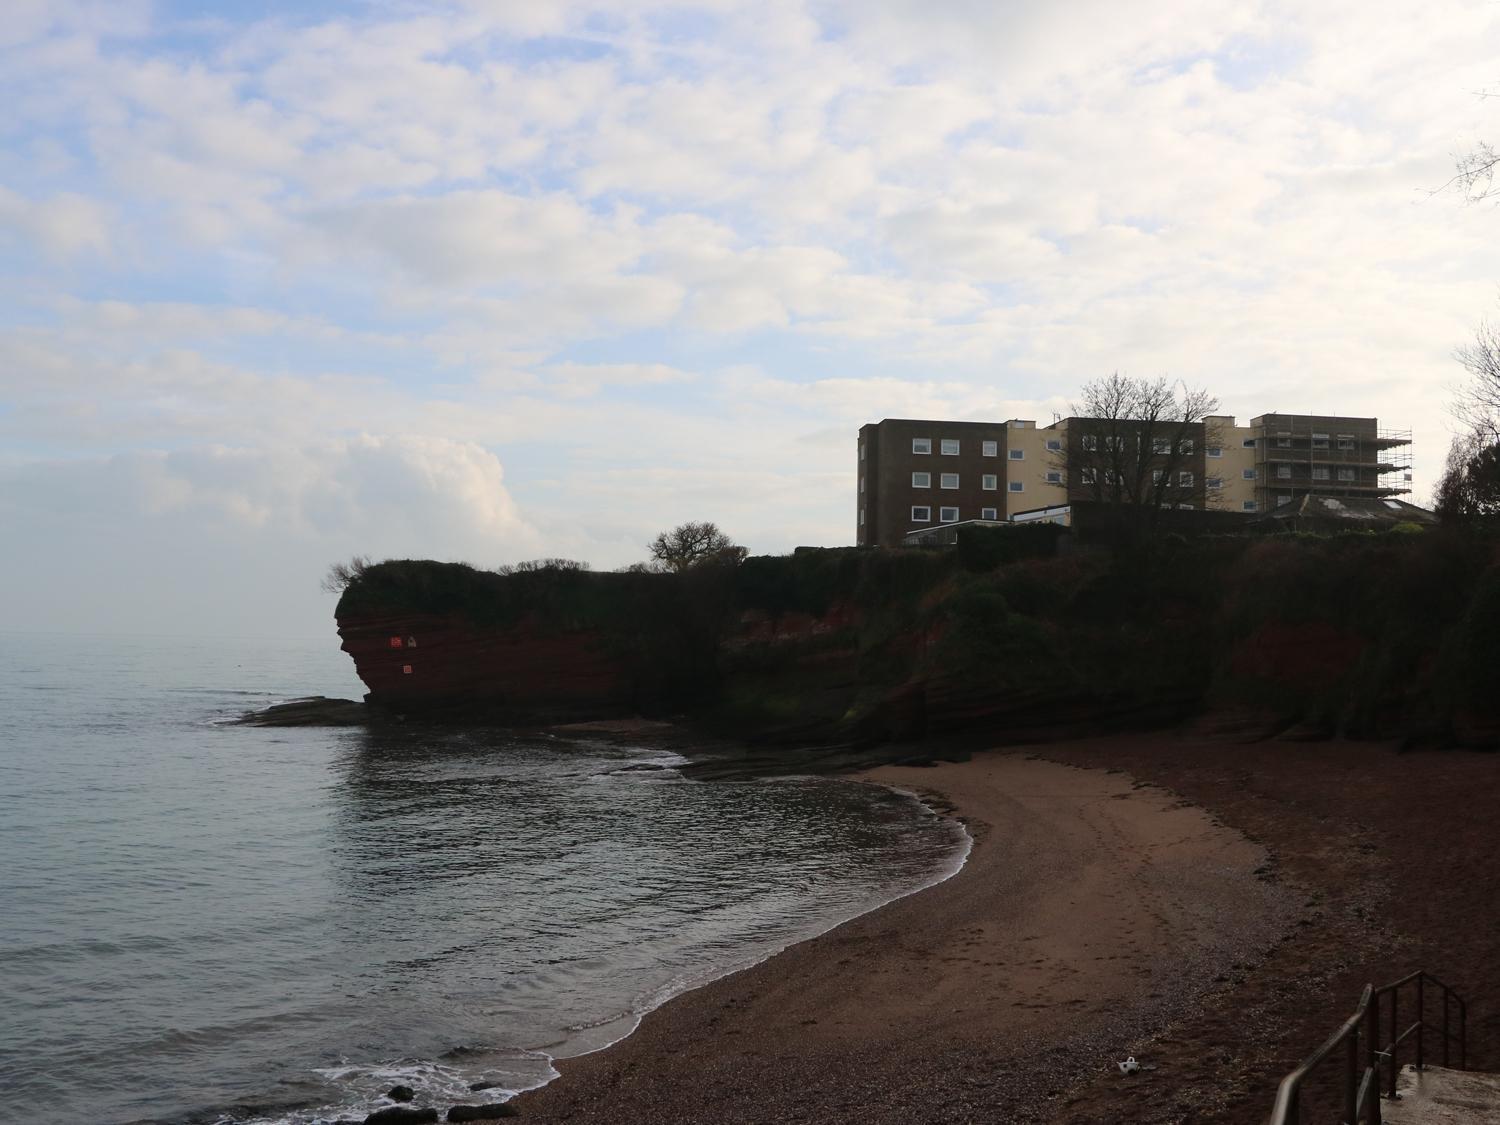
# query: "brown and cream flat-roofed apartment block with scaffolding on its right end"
{"type": "Point", "coordinates": [922, 473]}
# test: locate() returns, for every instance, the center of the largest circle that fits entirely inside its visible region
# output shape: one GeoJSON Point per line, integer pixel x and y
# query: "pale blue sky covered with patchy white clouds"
{"type": "Point", "coordinates": [290, 283]}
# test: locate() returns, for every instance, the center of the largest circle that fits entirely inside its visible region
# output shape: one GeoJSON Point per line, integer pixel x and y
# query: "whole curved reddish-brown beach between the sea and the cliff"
{"type": "Point", "coordinates": [1210, 908]}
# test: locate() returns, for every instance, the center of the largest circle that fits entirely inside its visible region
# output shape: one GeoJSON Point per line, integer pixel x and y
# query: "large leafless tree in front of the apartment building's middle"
{"type": "Point", "coordinates": [1138, 442]}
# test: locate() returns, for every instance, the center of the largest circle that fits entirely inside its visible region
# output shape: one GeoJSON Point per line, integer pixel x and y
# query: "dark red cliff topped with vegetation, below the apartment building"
{"type": "Point", "coordinates": [1367, 635]}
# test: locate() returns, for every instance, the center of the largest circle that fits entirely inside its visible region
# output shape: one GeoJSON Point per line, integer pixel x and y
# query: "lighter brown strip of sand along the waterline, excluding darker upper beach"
{"type": "Point", "coordinates": [1093, 913]}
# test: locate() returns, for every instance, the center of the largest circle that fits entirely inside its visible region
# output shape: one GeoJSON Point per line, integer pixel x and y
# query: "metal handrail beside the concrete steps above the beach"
{"type": "Point", "coordinates": [1372, 1063]}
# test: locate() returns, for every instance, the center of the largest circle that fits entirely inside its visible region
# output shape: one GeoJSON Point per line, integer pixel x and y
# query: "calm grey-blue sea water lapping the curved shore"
{"type": "Point", "coordinates": [211, 923]}
